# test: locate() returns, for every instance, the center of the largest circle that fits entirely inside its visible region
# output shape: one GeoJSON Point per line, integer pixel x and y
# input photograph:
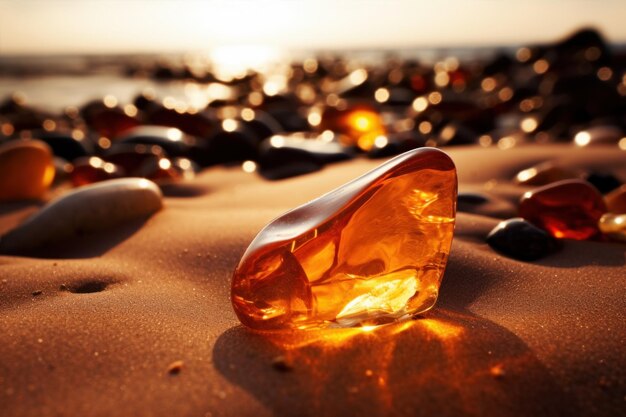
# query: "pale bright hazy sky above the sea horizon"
{"type": "Point", "coordinates": [123, 26]}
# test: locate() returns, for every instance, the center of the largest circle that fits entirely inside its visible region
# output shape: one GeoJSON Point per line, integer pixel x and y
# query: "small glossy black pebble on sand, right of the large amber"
{"type": "Point", "coordinates": [521, 240]}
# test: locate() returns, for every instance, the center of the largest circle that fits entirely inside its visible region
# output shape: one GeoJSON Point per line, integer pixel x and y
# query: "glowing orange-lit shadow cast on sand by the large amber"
{"type": "Point", "coordinates": [448, 364]}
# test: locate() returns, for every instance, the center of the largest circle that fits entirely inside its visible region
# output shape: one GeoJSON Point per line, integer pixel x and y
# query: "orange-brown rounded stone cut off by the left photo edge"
{"type": "Point", "coordinates": [26, 169]}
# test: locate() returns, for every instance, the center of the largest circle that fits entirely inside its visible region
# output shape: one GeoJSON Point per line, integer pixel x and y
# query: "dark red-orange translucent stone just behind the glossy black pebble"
{"type": "Point", "coordinates": [566, 209]}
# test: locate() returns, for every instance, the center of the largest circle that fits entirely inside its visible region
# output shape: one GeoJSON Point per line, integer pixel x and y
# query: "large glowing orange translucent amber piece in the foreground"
{"type": "Point", "coordinates": [371, 251]}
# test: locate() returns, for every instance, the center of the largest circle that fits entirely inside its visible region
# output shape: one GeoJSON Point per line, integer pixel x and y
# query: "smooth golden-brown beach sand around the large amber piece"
{"type": "Point", "coordinates": [137, 321]}
